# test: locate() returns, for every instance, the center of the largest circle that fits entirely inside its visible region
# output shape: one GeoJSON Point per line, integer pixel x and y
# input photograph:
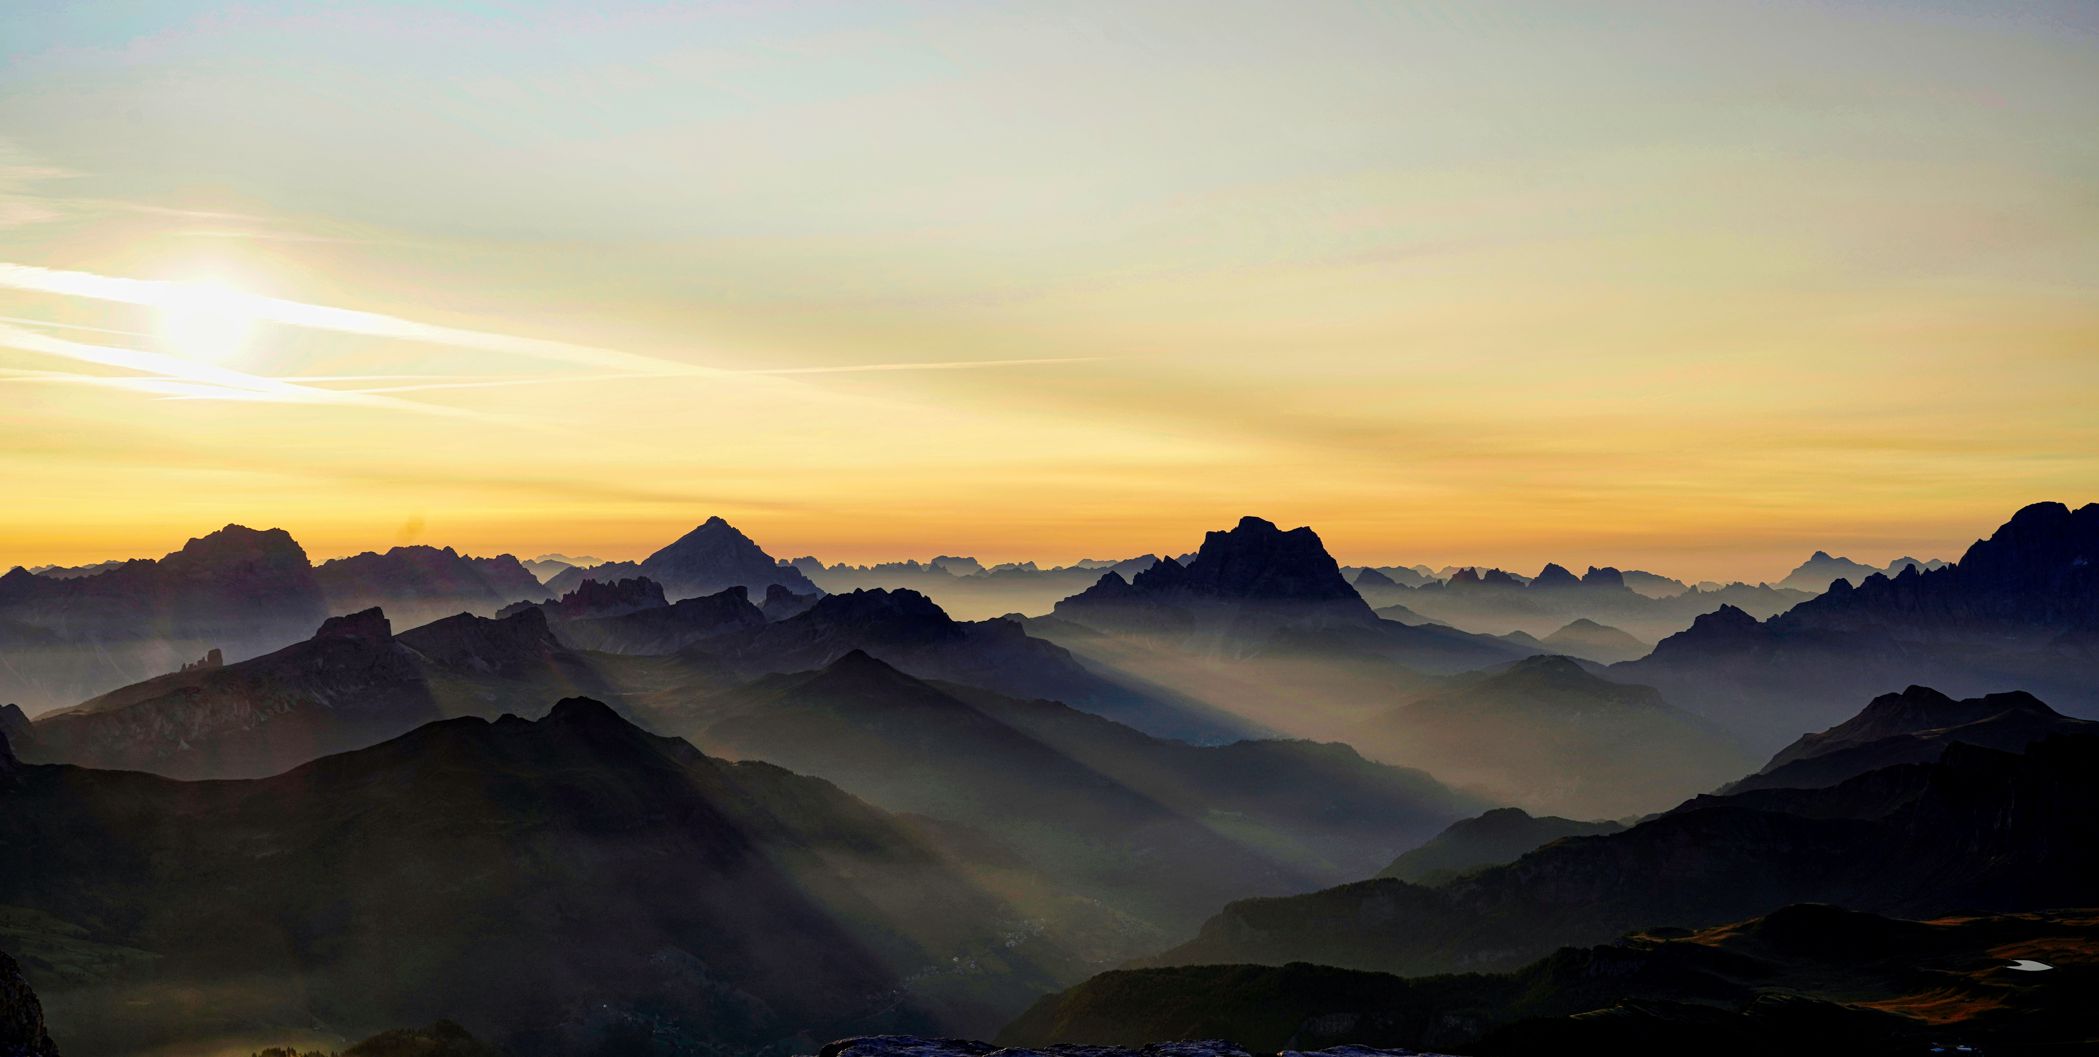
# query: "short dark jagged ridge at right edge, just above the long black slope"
{"type": "Point", "coordinates": [1911, 729]}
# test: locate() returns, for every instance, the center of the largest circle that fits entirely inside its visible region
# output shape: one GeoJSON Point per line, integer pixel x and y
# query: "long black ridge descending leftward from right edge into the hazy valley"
{"type": "Point", "coordinates": [1976, 832]}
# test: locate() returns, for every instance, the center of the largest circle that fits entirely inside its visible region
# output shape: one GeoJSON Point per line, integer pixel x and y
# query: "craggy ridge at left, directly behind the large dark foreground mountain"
{"type": "Point", "coordinates": [352, 685]}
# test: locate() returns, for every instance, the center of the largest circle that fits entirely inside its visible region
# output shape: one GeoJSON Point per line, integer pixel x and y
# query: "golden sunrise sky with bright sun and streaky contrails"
{"type": "Point", "coordinates": [1682, 286]}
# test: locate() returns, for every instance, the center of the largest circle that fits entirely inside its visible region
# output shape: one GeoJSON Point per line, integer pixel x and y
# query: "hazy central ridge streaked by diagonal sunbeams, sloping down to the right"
{"type": "Point", "coordinates": [1158, 832]}
